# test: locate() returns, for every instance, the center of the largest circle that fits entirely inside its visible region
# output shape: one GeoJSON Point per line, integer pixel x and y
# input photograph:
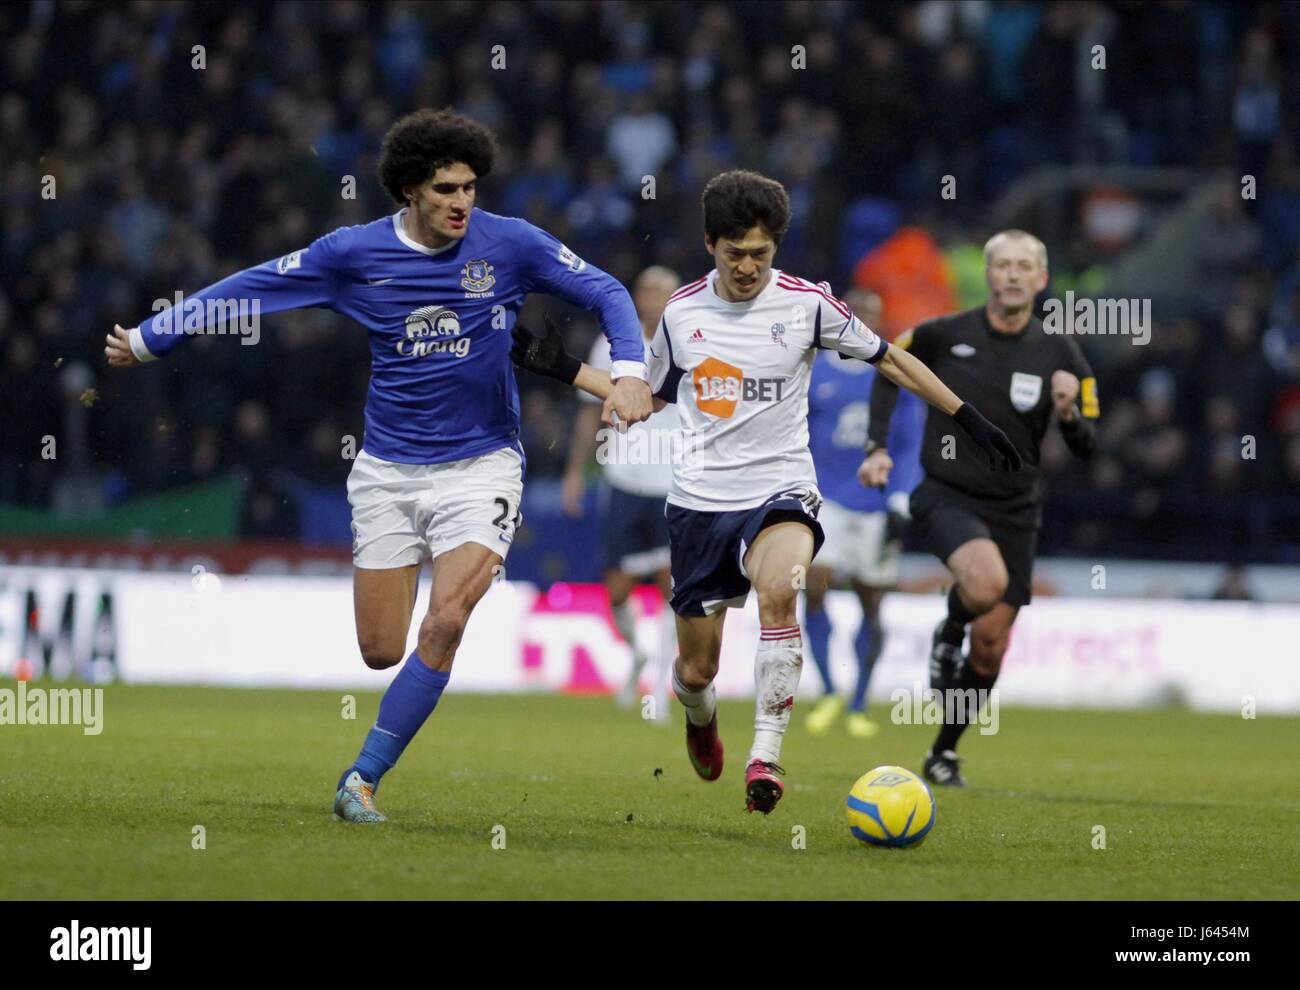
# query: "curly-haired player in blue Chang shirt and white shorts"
{"type": "Point", "coordinates": [439, 286]}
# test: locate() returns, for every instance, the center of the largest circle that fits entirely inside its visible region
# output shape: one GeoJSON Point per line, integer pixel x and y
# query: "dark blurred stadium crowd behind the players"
{"type": "Point", "coordinates": [170, 177]}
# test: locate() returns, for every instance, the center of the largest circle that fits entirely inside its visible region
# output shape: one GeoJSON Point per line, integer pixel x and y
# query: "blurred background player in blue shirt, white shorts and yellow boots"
{"type": "Point", "coordinates": [863, 532]}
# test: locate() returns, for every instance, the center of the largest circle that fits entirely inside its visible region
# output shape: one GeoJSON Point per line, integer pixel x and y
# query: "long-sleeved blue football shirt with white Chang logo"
{"type": "Point", "coordinates": [443, 387]}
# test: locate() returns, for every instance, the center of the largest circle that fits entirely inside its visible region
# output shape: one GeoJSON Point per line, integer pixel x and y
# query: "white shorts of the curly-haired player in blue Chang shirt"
{"type": "Point", "coordinates": [408, 514]}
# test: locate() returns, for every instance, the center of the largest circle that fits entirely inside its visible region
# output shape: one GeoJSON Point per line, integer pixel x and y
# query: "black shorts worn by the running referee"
{"type": "Point", "coordinates": [944, 520]}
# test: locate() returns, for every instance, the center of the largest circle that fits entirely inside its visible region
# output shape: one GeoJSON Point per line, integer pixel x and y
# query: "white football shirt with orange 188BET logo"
{"type": "Point", "coordinates": [739, 374]}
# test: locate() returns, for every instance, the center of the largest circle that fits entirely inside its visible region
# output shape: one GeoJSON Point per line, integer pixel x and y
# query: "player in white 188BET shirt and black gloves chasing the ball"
{"type": "Point", "coordinates": [735, 350]}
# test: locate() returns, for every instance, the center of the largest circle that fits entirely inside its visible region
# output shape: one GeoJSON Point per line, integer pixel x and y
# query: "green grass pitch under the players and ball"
{"type": "Point", "coordinates": [1194, 806]}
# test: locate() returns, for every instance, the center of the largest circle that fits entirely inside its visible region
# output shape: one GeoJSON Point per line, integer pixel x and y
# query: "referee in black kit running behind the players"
{"type": "Point", "coordinates": [983, 523]}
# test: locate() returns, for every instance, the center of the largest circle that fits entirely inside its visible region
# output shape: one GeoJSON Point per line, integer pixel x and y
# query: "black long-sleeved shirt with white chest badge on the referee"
{"type": "Point", "coordinates": [1008, 377]}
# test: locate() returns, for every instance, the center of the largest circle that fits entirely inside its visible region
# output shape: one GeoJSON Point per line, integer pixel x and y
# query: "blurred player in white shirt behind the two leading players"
{"type": "Point", "coordinates": [638, 479]}
